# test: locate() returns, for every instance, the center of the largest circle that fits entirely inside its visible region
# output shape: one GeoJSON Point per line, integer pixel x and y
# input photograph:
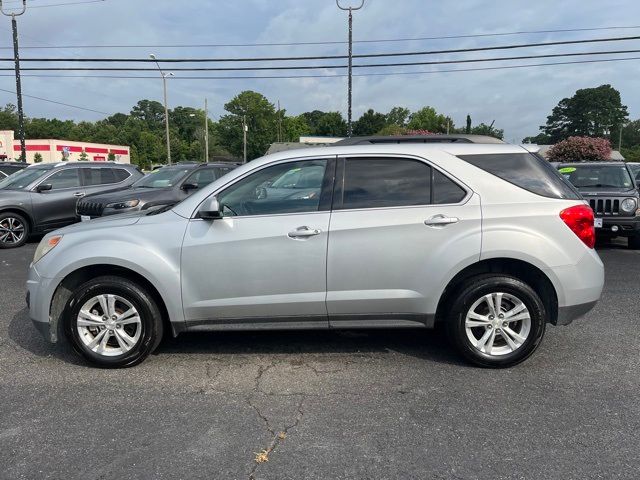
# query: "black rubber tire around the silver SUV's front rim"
{"type": "Point", "coordinates": [151, 327]}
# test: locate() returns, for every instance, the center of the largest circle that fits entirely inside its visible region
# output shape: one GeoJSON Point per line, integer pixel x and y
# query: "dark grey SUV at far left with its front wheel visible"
{"type": "Point", "coordinates": [42, 197]}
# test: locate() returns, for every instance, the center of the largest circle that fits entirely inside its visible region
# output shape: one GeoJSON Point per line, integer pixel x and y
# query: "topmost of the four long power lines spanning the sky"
{"type": "Point", "coordinates": [333, 42]}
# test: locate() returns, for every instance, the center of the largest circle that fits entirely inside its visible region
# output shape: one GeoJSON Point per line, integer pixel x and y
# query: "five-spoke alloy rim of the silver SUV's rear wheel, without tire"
{"type": "Point", "coordinates": [498, 324]}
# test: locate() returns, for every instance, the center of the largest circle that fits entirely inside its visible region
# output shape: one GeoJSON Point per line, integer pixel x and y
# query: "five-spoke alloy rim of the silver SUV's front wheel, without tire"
{"type": "Point", "coordinates": [109, 325]}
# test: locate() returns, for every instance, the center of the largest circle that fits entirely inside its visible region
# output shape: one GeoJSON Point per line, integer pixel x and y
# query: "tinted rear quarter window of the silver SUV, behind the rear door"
{"type": "Point", "coordinates": [526, 171]}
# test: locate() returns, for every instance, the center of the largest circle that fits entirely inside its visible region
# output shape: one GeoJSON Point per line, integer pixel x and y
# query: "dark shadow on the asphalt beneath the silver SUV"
{"type": "Point", "coordinates": [424, 344]}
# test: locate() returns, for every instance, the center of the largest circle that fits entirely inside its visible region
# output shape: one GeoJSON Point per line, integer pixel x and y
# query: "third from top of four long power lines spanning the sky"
{"type": "Point", "coordinates": [324, 67]}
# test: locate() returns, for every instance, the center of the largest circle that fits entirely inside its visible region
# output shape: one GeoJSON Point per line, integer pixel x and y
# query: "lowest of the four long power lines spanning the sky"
{"type": "Point", "coordinates": [336, 75]}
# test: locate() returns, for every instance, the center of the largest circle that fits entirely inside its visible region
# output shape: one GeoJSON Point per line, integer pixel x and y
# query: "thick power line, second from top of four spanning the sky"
{"type": "Point", "coordinates": [331, 57]}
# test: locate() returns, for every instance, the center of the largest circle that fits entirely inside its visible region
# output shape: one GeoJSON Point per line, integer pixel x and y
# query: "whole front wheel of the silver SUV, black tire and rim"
{"type": "Point", "coordinates": [113, 322]}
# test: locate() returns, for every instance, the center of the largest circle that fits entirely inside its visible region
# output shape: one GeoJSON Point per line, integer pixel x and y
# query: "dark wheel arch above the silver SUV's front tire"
{"type": "Point", "coordinates": [79, 276]}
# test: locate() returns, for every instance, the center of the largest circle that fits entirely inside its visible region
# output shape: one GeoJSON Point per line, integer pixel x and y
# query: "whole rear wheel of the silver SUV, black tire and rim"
{"type": "Point", "coordinates": [496, 320]}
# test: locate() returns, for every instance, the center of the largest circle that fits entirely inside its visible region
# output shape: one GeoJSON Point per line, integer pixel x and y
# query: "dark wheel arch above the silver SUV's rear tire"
{"type": "Point", "coordinates": [520, 269]}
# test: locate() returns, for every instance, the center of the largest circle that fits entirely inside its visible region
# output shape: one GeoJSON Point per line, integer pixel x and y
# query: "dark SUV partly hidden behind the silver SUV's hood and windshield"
{"type": "Point", "coordinates": [163, 187]}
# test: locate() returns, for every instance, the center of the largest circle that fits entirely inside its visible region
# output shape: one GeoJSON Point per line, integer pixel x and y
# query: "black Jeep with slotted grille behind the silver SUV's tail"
{"type": "Point", "coordinates": [611, 190]}
